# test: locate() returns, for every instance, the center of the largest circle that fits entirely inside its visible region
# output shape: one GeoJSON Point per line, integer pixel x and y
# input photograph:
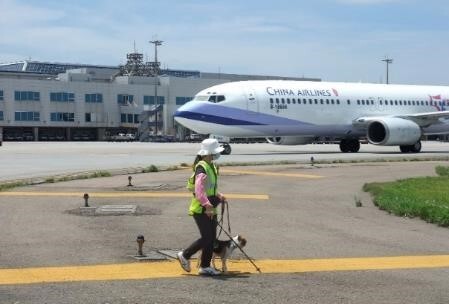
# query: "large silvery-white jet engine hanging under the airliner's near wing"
{"type": "Point", "coordinates": [393, 131]}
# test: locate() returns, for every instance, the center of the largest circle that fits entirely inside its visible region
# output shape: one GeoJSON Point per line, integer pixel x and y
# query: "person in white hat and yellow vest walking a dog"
{"type": "Point", "coordinates": [203, 206]}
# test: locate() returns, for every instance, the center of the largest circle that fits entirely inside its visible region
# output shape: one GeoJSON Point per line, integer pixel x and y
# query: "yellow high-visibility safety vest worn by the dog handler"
{"type": "Point", "coordinates": [211, 186]}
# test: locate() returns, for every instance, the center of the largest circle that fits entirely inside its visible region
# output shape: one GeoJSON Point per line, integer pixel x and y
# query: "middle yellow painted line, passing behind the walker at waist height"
{"type": "Point", "coordinates": [127, 194]}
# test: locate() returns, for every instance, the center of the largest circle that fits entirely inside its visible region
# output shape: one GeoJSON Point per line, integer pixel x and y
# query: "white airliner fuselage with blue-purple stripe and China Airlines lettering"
{"type": "Point", "coordinates": [299, 108]}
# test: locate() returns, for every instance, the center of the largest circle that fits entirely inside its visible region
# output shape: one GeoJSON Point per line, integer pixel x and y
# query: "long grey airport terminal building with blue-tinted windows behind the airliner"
{"type": "Point", "coordinates": [54, 101]}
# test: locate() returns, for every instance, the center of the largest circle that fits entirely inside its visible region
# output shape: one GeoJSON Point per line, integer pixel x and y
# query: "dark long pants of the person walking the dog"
{"type": "Point", "coordinates": [208, 231]}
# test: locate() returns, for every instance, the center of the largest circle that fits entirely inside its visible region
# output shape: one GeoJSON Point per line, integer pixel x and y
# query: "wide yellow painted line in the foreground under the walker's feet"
{"type": "Point", "coordinates": [171, 269]}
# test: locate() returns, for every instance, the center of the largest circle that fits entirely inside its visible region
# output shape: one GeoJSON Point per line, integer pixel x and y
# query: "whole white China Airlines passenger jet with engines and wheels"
{"type": "Point", "coordinates": [296, 112]}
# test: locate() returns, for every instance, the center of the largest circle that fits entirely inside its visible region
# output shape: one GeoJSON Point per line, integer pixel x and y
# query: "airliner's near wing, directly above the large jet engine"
{"type": "Point", "coordinates": [423, 120]}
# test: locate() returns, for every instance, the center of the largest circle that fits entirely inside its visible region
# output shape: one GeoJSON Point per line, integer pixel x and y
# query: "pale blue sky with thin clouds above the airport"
{"type": "Point", "coordinates": [335, 40]}
